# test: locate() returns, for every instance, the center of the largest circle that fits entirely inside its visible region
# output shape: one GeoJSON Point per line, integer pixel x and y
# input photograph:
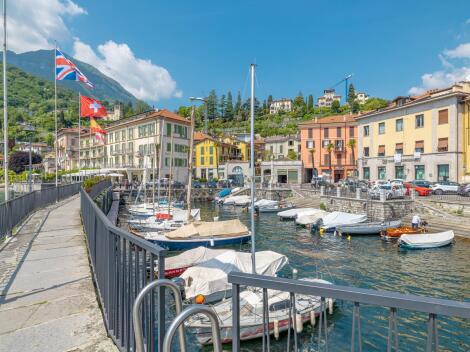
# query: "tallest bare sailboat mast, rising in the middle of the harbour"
{"type": "Point", "coordinates": [252, 167]}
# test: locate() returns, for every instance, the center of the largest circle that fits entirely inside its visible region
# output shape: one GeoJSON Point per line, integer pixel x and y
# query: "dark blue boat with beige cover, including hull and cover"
{"type": "Point", "coordinates": [202, 233]}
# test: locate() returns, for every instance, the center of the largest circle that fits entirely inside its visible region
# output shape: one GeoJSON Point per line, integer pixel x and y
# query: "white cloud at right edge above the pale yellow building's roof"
{"type": "Point", "coordinates": [453, 70]}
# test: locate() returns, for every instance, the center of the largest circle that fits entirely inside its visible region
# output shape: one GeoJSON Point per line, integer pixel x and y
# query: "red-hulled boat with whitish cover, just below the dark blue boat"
{"type": "Point", "coordinates": [176, 265]}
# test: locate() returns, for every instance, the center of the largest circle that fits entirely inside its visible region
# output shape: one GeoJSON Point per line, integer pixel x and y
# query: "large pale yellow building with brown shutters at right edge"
{"type": "Point", "coordinates": [416, 138]}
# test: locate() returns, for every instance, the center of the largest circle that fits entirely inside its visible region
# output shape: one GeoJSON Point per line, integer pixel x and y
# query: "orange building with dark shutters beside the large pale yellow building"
{"type": "Point", "coordinates": [333, 142]}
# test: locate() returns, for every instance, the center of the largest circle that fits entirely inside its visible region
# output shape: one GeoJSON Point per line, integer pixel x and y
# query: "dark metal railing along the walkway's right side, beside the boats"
{"type": "Point", "coordinates": [122, 265]}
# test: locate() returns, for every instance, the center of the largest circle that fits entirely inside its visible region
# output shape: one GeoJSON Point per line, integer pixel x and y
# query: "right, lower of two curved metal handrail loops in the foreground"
{"type": "Point", "coordinates": [188, 312]}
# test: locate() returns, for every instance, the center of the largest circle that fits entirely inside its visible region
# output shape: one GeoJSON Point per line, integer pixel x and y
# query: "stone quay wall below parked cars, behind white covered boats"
{"type": "Point", "coordinates": [376, 210]}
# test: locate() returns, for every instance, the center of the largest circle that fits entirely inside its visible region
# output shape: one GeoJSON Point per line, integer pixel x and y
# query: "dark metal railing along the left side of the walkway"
{"type": "Point", "coordinates": [13, 212]}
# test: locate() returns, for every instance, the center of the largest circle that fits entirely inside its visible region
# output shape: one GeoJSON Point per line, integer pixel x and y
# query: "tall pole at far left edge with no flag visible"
{"type": "Point", "coordinates": [5, 105]}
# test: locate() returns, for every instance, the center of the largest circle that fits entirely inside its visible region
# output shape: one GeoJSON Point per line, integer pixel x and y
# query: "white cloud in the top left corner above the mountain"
{"type": "Point", "coordinates": [33, 25]}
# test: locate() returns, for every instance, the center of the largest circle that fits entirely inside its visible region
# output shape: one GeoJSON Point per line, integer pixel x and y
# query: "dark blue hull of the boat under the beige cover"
{"type": "Point", "coordinates": [181, 245]}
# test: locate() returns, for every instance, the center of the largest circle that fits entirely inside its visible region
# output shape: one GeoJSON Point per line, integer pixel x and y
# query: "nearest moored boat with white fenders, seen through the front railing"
{"type": "Point", "coordinates": [251, 314]}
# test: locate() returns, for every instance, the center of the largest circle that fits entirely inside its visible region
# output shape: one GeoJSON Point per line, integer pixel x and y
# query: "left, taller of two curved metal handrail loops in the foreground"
{"type": "Point", "coordinates": [138, 333]}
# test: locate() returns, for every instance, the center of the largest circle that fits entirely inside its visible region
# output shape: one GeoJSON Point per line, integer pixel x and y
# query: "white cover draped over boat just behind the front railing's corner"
{"type": "Point", "coordinates": [211, 276]}
